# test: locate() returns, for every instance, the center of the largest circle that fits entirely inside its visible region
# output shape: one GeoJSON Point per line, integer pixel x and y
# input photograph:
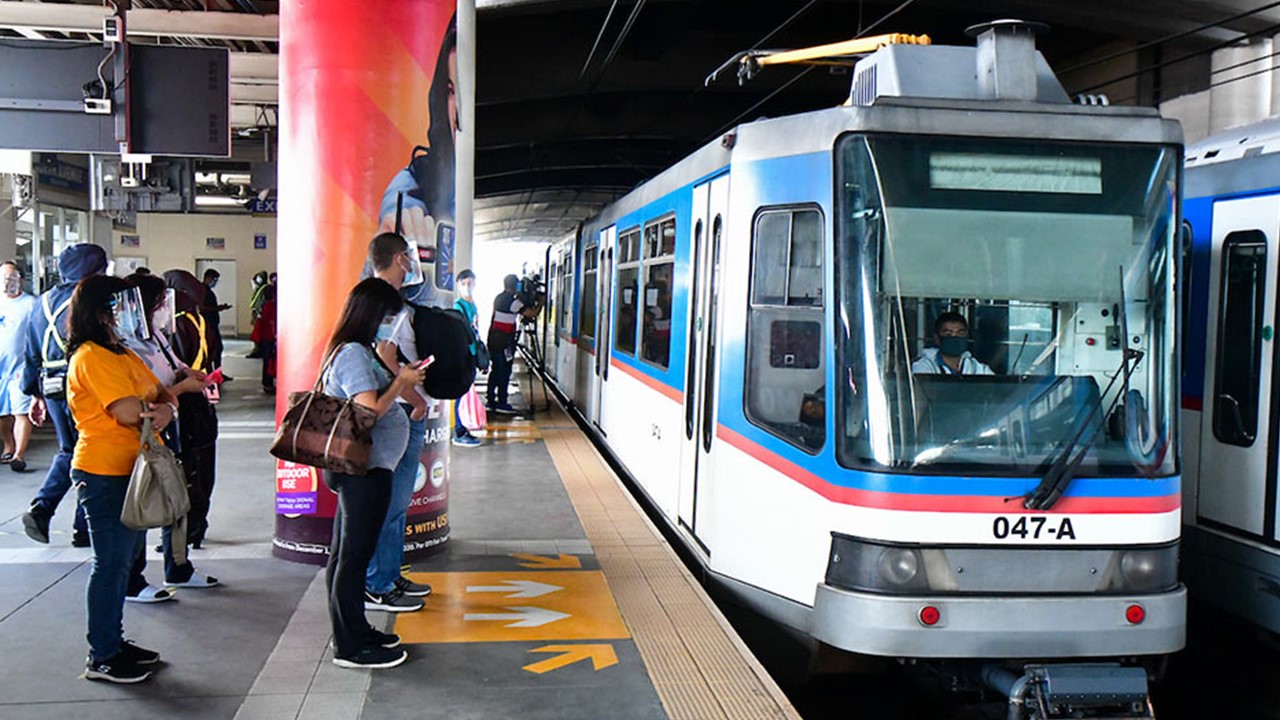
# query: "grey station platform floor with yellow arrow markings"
{"type": "Point", "coordinates": [556, 598]}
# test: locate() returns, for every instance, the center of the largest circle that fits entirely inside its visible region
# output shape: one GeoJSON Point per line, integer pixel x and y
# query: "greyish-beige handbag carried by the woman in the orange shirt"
{"type": "Point", "coordinates": [157, 496]}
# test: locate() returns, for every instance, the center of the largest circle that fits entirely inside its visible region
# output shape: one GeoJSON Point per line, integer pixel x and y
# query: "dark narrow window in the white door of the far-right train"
{"type": "Point", "coordinates": [1240, 339]}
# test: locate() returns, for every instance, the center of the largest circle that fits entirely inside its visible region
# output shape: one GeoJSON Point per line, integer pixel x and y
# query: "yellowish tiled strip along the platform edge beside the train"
{"type": "Point", "coordinates": [598, 495]}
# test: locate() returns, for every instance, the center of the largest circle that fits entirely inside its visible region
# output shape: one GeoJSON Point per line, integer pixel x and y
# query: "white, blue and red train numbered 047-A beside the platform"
{"type": "Point", "coordinates": [744, 335]}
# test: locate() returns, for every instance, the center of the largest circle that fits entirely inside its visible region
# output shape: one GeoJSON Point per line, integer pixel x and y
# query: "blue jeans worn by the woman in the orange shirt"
{"type": "Point", "coordinates": [115, 550]}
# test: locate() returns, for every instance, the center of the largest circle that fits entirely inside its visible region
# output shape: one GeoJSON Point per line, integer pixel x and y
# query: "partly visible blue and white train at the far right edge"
{"type": "Point", "coordinates": [1231, 418]}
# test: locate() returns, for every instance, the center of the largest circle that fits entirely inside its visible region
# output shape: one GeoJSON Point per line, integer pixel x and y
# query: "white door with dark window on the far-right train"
{"type": "Point", "coordinates": [1237, 479]}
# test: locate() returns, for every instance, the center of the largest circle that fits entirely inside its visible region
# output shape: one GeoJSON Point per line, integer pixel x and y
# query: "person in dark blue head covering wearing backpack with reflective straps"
{"type": "Point", "coordinates": [44, 377]}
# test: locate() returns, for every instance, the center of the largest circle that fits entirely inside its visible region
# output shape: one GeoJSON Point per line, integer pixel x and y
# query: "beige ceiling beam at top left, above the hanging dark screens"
{"type": "Point", "coordinates": [145, 22]}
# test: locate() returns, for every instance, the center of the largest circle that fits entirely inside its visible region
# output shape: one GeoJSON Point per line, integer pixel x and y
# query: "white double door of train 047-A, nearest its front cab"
{"type": "Point", "coordinates": [708, 222]}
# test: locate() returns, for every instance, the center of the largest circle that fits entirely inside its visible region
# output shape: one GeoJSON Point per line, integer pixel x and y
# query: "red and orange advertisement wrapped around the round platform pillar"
{"type": "Point", "coordinates": [368, 126]}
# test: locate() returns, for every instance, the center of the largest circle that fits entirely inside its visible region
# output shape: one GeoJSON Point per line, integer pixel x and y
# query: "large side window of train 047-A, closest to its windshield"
{"type": "Point", "coordinates": [785, 350]}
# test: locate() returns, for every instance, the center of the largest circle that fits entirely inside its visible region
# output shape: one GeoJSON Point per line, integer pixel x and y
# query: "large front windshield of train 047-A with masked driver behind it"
{"type": "Point", "coordinates": [1004, 304]}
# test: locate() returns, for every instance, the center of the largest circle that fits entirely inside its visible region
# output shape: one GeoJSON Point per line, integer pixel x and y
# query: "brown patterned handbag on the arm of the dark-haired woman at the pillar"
{"type": "Point", "coordinates": [324, 431]}
